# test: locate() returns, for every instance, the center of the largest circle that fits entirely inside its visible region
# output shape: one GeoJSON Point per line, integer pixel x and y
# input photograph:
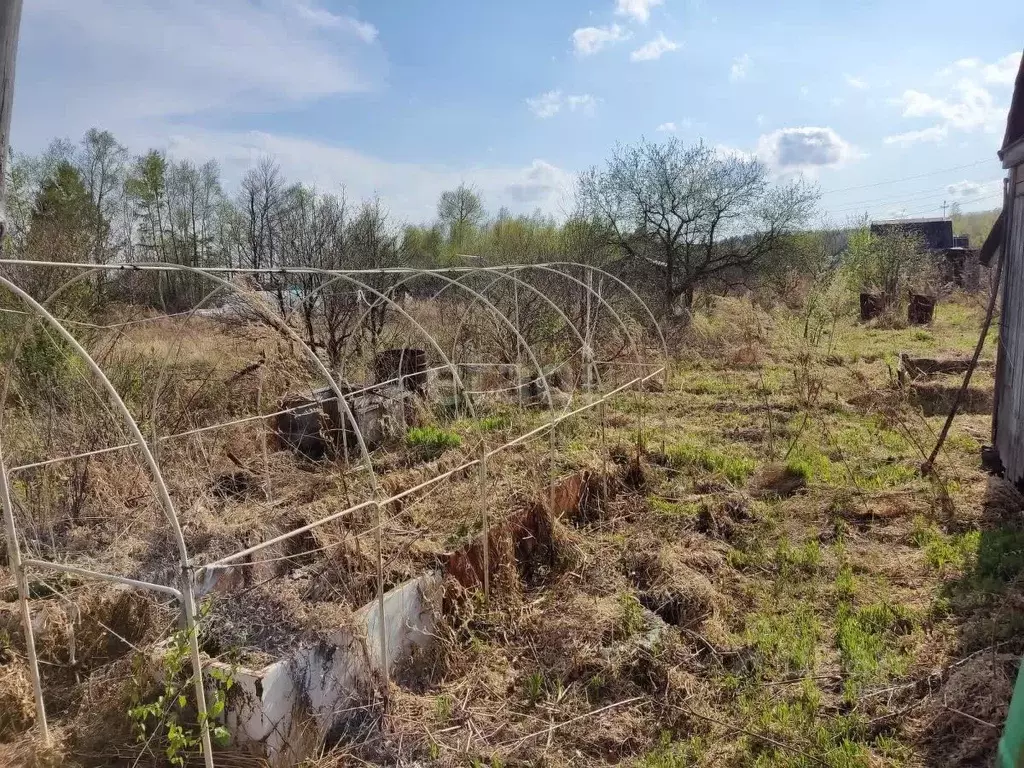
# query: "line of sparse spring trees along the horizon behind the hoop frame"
{"type": "Point", "coordinates": [672, 219]}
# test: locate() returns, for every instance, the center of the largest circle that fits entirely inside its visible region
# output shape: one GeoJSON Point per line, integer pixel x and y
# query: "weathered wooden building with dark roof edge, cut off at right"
{"type": "Point", "coordinates": [1006, 246]}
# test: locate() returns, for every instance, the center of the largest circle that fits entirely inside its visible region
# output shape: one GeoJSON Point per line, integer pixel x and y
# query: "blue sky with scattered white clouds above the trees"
{"type": "Point", "coordinates": [892, 108]}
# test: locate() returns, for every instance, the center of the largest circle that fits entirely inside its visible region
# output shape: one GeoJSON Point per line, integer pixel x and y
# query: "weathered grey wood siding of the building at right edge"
{"type": "Point", "coordinates": [1010, 413]}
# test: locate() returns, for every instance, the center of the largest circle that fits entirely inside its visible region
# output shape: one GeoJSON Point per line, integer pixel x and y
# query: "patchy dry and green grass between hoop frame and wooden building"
{"type": "Point", "coordinates": [783, 588]}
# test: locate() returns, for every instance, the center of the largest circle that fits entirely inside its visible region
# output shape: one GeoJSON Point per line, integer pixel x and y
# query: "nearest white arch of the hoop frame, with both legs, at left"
{"type": "Point", "coordinates": [165, 499]}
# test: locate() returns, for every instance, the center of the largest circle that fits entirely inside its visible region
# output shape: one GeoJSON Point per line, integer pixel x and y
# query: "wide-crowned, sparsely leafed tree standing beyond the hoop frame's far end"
{"type": "Point", "coordinates": [691, 212]}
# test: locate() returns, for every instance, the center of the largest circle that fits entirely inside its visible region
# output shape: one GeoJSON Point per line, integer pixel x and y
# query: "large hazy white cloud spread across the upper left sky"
{"type": "Point", "coordinates": [186, 58]}
